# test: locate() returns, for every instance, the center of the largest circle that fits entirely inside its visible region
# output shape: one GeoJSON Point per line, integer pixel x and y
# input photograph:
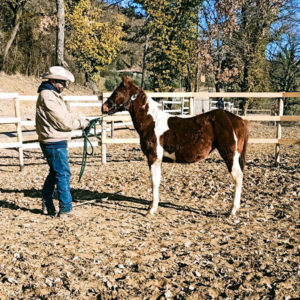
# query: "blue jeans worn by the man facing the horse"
{"type": "Point", "coordinates": [59, 175]}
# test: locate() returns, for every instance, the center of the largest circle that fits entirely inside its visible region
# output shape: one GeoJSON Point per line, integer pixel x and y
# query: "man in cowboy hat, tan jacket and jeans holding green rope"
{"type": "Point", "coordinates": [54, 124]}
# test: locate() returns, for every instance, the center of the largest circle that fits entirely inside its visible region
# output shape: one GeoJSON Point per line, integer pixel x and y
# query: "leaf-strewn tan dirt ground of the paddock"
{"type": "Point", "coordinates": [190, 250]}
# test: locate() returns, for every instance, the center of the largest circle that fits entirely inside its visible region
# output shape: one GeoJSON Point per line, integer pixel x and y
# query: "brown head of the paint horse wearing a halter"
{"type": "Point", "coordinates": [121, 97]}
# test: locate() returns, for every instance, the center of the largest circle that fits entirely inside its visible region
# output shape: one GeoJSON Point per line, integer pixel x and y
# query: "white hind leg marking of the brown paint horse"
{"type": "Point", "coordinates": [237, 176]}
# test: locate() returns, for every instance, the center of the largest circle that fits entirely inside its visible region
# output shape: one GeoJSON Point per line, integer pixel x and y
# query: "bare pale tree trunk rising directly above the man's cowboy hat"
{"type": "Point", "coordinates": [60, 38]}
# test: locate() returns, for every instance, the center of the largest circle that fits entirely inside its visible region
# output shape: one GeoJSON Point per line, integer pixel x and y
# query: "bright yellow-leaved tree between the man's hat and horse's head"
{"type": "Point", "coordinates": [93, 40]}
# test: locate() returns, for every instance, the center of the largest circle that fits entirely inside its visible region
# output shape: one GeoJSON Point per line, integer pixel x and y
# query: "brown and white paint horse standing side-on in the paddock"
{"type": "Point", "coordinates": [181, 140]}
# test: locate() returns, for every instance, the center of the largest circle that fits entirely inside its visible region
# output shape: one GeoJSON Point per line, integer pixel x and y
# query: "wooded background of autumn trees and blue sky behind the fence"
{"type": "Point", "coordinates": [164, 45]}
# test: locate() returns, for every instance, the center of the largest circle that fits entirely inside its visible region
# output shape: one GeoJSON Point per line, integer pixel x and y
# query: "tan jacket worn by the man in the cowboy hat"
{"type": "Point", "coordinates": [53, 120]}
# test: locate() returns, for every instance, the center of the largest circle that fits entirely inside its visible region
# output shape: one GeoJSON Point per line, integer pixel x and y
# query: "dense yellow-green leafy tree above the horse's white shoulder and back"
{"type": "Point", "coordinates": [171, 28]}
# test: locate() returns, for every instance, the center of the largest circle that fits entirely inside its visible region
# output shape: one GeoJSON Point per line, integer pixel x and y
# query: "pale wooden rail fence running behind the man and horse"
{"type": "Point", "coordinates": [94, 101]}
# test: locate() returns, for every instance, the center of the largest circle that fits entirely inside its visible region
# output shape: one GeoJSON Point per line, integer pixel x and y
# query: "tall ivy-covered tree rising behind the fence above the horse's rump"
{"type": "Point", "coordinates": [253, 36]}
